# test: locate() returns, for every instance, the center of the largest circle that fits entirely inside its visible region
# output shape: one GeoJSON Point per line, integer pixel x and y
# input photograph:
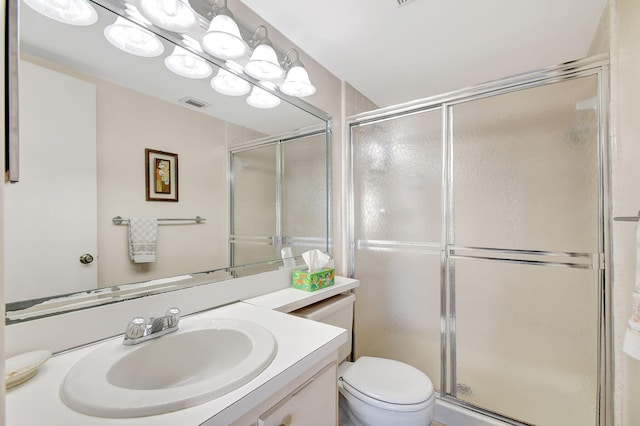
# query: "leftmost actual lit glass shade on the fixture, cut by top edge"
{"type": "Point", "coordinates": [172, 15]}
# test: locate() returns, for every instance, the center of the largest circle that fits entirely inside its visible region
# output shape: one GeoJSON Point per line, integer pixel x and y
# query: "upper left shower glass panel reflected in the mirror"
{"type": "Point", "coordinates": [254, 192]}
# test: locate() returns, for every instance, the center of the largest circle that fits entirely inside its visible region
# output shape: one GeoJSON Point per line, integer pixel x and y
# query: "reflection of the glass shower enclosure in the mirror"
{"type": "Point", "coordinates": [279, 198]}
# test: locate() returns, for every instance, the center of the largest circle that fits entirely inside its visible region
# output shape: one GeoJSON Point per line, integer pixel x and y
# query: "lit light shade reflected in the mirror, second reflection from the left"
{"type": "Point", "coordinates": [131, 38]}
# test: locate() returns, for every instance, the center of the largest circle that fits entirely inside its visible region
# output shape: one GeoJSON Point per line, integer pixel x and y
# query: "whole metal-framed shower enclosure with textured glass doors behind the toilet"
{"type": "Point", "coordinates": [478, 236]}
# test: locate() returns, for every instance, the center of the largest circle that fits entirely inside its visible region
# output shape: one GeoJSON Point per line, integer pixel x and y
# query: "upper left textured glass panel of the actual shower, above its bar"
{"type": "Point", "coordinates": [398, 175]}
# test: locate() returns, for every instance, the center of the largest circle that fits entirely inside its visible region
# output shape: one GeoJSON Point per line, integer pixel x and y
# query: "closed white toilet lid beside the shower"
{"type": "Point", "coordinates": [389, 381]}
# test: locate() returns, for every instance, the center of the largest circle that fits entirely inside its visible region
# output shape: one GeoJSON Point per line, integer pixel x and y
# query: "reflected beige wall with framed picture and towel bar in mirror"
{"type": "Point", "coordinates": [129, 122]}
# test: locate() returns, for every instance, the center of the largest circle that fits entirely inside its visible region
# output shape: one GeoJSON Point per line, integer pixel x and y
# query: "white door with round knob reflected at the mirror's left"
{"type": "Point", "coordinates": [51, 214]}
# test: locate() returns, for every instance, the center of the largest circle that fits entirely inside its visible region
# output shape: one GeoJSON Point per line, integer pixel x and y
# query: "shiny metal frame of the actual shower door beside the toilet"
{"type": "Point", "coordinates": [598, 66]}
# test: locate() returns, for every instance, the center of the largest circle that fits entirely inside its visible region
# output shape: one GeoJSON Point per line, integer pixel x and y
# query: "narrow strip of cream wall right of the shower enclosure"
{"type": "Point", "coordinates": [626, 194]}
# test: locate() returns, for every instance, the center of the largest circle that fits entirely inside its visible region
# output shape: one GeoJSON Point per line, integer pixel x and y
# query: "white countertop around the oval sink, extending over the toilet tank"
{"type": "Point", "coordinates": [301, 344]}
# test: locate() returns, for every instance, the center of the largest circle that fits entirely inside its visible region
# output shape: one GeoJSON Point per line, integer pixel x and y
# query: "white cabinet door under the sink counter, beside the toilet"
{"type": "Point", "coordinates": [313, 403]}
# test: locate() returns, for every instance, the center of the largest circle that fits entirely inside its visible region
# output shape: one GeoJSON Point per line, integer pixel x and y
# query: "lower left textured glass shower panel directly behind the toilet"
{"type": "Point", "coordinates": [397, 312]}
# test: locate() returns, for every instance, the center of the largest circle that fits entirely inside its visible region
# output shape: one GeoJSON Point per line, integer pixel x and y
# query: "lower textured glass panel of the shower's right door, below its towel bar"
{"type": "Point", "coordinates": [526, 341]}
